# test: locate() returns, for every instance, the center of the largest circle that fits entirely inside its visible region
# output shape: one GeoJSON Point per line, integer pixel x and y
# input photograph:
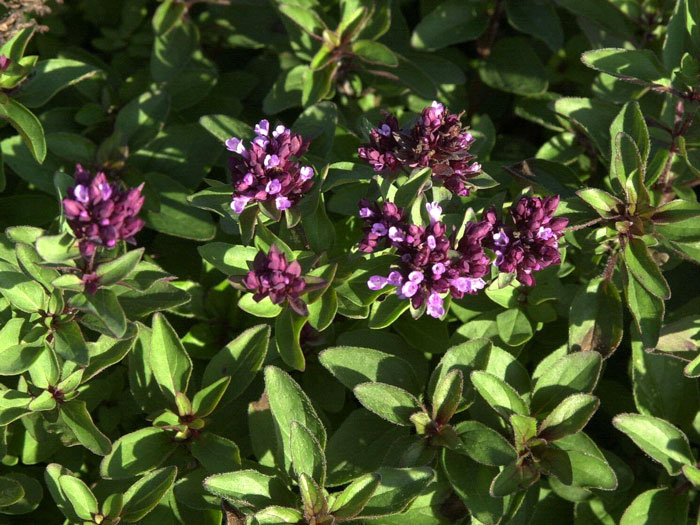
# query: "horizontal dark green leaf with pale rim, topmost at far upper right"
{"type": "Point", "coordinates": [632, 65]}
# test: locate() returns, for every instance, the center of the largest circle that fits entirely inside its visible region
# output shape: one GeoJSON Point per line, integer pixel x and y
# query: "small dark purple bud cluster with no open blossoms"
{"type": "Point", "coordinates": [272, 276]}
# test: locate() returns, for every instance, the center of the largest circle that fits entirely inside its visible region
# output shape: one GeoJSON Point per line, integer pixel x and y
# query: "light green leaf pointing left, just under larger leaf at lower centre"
{"type": "Point", "coordinates": [391, 403]}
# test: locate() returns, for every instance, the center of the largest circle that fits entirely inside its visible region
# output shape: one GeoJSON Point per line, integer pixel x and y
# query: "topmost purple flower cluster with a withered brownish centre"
{"type": "Point", "coordinates": [436, 140]}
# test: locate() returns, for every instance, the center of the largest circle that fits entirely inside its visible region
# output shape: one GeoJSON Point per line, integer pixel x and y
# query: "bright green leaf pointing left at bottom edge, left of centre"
{"type": "Point", "coordinates": [249, 486]}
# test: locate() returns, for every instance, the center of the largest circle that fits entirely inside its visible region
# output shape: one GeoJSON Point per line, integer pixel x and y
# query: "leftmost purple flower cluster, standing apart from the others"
{"type": "Point", "coordinates": [100, 213]}
